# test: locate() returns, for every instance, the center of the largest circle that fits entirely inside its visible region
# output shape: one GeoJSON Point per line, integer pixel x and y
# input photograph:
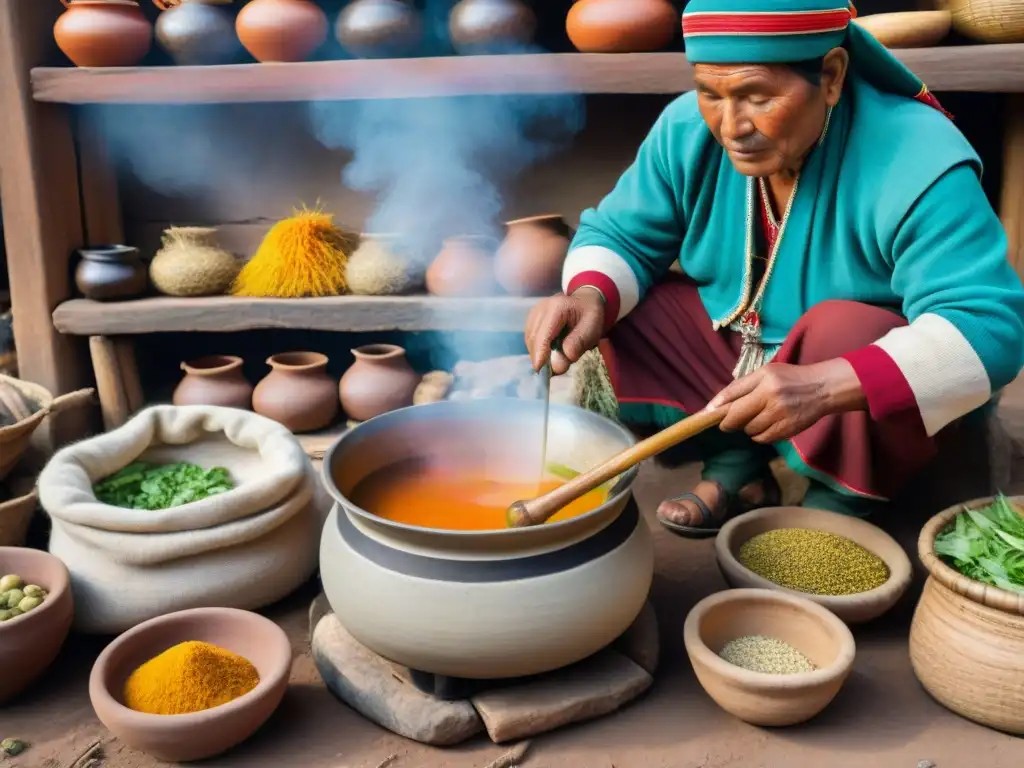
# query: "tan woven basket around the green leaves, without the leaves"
{"type": "Point", "coordinates": [967, 638]}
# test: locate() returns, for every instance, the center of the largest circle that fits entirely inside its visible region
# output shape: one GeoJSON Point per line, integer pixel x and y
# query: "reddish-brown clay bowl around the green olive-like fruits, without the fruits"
{"type": "Point", "coordinates": [30, 644]}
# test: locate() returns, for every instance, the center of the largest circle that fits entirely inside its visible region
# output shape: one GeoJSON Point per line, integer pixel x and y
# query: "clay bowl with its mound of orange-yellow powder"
{"type": "Point", "coordinates": [192, 685]}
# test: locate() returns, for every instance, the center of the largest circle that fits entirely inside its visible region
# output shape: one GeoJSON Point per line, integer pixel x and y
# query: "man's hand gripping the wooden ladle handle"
{"type": "Point", "coordinates": [780, 401]}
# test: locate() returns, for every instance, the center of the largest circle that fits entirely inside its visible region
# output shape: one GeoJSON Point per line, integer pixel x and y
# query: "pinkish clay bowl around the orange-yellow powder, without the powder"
{"type": "Point", "coordinates": [180, 739]}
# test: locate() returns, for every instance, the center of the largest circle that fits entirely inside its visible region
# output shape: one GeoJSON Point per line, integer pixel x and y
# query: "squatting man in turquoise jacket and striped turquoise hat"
{"type": "Point", "coordinates": [846, 294]}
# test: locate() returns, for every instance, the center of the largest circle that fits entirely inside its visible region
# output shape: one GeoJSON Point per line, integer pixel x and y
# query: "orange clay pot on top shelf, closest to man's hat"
{"type": "Point", "coordinates": [622, 26]}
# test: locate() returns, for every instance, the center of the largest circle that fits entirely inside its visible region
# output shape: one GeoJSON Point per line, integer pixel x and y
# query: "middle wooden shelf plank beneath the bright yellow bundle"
{"type": "Point", "coordinates": [343, 314]}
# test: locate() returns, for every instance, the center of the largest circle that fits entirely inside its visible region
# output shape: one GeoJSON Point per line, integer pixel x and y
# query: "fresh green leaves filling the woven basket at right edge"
{"type": "Point", "coordinates": [988, 545]}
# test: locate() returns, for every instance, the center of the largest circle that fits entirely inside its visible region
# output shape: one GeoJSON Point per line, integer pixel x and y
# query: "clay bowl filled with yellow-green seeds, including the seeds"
{"type": "Point", "coordinates": [848, 566]}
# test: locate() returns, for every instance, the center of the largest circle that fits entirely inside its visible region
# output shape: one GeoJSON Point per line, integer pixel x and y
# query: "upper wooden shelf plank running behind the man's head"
{"type": "Point", "coordinates": [974, 68]}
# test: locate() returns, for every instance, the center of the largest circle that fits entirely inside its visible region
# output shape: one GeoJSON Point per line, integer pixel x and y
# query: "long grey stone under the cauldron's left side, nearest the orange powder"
{"type": "Point", "coordinates": [367, 684]}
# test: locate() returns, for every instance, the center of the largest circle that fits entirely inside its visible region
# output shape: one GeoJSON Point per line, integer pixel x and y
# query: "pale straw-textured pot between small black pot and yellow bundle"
{"type": "Point", "coordinates": [191, 264]}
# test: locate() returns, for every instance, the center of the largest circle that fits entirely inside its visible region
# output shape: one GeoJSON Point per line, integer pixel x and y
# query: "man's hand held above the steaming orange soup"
{"type": "Point", "coordinates": [582, 315]}
